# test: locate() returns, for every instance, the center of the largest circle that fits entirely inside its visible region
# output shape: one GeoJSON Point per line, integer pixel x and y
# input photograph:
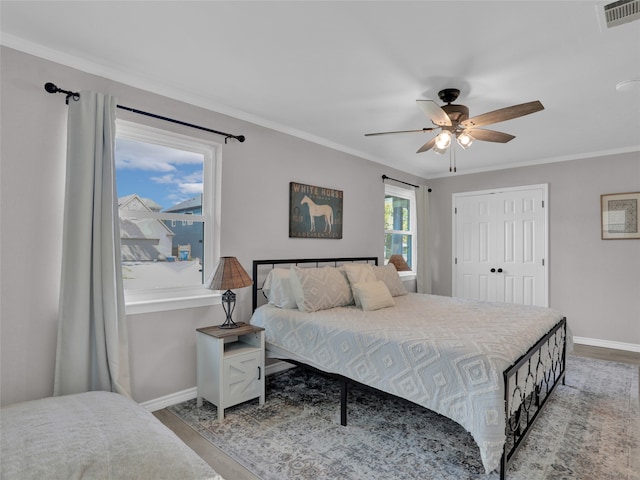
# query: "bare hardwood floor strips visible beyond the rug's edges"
{"type": "Point", "coordinates": [232, 470]}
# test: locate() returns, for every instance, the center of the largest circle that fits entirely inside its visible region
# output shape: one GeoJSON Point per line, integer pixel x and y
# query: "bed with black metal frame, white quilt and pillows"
{"type": "Point", "coordinates": [490, 367]}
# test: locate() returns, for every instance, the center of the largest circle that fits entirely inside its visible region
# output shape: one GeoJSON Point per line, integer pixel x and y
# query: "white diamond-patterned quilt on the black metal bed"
{"type": "Point", "coordinates": [446, 354]}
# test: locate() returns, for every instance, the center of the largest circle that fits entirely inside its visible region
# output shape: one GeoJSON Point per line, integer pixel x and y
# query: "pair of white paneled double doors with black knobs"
{"type": "Point", "coordinates": [500, 245]}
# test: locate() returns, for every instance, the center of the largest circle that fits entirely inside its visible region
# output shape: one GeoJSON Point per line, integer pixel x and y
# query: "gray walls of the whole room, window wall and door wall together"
{"type": "Point", "coordinates": [594, 282]}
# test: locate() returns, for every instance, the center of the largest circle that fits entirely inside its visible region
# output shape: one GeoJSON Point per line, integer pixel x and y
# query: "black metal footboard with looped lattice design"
{"type": "Point", "coordinates": [528, 383]}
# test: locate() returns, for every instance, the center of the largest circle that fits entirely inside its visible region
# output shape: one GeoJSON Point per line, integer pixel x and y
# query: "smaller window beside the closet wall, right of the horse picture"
{"type": "Point", "coordinates": [400, 223]}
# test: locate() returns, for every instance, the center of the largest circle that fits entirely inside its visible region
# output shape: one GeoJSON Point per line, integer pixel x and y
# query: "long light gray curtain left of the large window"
{"type": "Point", "coordinates": [92, 349]}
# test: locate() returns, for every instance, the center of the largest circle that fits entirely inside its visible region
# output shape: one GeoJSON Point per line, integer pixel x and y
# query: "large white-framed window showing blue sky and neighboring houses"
{"type": "Point", "coordinates": [168, 205]}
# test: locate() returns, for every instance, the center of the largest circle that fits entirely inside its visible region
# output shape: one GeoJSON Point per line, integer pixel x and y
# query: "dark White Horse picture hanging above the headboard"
{"type": "Point", "coordinates": [314, 212]}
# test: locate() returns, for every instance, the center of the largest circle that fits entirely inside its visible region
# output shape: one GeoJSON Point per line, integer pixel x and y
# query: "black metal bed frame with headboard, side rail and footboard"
{"type": "Point", "coordinates": [530, 395]}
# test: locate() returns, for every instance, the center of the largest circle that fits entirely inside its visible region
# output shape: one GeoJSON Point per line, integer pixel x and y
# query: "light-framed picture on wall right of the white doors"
{"type": "Point", "coordinates": [619, 213]}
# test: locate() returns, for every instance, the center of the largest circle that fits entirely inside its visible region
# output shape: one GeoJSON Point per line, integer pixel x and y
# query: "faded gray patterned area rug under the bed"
{"type": "Point", "coordinates": [589, 430]}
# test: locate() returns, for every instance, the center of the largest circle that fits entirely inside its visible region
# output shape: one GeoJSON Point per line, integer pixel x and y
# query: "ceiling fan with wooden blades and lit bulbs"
{"type": "Point", "coordinates": [454, 122]}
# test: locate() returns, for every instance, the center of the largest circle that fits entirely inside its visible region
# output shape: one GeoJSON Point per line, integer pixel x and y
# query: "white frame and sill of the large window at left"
{"type": "Point", "coordinates": [165, 299]}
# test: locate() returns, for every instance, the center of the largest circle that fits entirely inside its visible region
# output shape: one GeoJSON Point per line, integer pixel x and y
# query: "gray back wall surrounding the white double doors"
{"type": "Point", "coordinates": [594, 282]}
